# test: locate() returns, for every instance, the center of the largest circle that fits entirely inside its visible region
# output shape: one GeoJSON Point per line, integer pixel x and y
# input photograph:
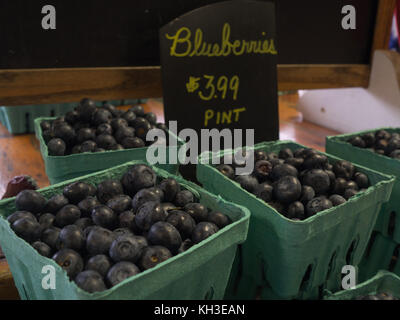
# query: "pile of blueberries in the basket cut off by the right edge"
{"type": "Point", "coordinates": [381, 142]}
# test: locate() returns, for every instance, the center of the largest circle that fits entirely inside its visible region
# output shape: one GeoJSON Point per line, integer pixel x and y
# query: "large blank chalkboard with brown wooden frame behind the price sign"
{"type": "Point", "coordinates": [110, 49]}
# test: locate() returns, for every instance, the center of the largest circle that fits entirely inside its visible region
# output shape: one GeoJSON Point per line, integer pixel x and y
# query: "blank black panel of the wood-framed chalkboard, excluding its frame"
{"type": "Point", "coordinates": [103, 33]}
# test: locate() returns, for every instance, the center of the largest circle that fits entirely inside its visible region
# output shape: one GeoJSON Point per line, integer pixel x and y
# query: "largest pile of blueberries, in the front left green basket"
{"type": "Point", "coordinates": [101, 235]}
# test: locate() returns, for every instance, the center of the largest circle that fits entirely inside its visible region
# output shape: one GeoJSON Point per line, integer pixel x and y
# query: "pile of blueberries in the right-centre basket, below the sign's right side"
{"type": "Point", "coordinates": [300, 183]}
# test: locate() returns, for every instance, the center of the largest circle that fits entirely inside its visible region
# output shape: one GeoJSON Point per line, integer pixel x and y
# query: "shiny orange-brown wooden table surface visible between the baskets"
{"type": "Point", "coordinates": [20, 155]}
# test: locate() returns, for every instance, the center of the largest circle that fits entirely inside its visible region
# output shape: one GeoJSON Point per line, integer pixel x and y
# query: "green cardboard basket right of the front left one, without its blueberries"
{"type": "Point", "coordinates": [285, 259]}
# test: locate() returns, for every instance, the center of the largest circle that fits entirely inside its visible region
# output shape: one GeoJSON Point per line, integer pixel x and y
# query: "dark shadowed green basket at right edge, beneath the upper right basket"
{"type": "Point", "coordinates": [382, 254]}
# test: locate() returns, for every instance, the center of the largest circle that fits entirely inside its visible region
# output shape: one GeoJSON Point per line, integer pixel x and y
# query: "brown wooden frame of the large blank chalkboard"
{"type": "Point", "coordinates": [37, 86]}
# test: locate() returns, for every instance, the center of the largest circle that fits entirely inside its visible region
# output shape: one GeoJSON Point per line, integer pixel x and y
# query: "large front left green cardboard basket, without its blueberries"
{"type": "Point", "coordinates": [201, 272]}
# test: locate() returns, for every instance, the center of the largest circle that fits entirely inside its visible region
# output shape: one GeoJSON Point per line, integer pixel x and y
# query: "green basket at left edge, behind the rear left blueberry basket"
{"type": "Point", "coordinates": [20, 119]}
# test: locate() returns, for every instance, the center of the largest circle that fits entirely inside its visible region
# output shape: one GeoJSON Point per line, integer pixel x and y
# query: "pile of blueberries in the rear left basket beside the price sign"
{"type": "Point", "coordinates": [89, 128]}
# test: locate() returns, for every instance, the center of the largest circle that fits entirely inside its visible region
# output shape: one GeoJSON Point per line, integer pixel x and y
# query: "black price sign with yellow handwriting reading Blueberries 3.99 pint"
{"type": "Point", "coordinates": [219, 68]}
